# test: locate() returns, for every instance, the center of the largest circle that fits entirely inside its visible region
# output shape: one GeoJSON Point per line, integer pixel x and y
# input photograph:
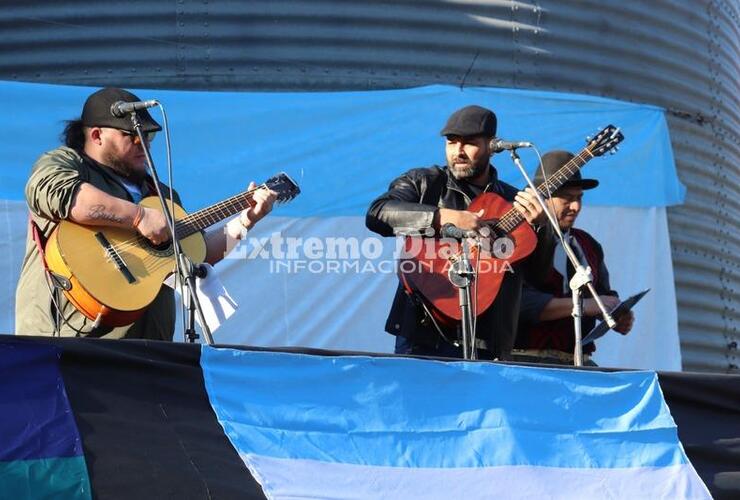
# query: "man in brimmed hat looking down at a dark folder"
{"type": "Point", "coordinates": [545, 323]}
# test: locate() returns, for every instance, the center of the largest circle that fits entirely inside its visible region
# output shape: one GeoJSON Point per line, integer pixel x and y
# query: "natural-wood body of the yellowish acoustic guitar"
{"type": "Point", "coordinates": [97, 287]}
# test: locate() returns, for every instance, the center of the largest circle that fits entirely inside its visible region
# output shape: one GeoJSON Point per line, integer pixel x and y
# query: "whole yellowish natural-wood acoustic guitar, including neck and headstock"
{"type": "Point", "coordinates": [111, 274]}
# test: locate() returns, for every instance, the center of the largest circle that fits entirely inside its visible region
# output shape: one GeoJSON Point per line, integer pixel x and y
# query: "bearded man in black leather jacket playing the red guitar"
{"type": "Point", "coordinates": [423, 200]}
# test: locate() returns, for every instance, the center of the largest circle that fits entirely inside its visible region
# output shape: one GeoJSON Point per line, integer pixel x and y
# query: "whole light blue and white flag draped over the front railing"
{"type": "Point", "coordinates": [390, 427]}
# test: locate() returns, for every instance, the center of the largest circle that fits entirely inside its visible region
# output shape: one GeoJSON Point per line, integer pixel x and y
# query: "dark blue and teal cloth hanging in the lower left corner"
{"type": "Point", "coordinates": [40, 446]}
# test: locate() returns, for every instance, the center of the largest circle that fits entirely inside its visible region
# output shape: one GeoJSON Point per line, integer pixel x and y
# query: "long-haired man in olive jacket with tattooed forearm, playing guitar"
{"type": "Point", "coordinates": [97, 179]}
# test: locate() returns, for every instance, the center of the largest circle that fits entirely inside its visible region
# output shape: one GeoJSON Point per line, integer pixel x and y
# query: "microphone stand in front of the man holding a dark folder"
{"type": "Point", "coordinates": [581, 278]}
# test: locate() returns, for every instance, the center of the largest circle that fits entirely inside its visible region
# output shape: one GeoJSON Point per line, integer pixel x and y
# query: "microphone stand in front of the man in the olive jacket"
{"type": "Point", "coordinates": [184, 267]}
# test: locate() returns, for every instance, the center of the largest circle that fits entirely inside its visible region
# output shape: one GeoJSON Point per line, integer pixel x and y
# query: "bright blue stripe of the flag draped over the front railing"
{"type": "Point", "coordinates": [403, 412]}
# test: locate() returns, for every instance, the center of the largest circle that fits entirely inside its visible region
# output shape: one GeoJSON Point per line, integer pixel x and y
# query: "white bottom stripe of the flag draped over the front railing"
{"type": "Point", "coordinates": [291, 478]}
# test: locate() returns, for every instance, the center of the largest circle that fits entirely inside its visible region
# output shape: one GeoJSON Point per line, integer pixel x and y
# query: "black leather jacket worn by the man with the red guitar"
{"type": "Point", "coordinates": [409, 204]}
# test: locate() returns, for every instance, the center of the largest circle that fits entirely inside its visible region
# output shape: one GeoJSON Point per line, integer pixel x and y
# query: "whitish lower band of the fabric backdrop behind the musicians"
{"type": "Point", "coordinates": [316, 306]}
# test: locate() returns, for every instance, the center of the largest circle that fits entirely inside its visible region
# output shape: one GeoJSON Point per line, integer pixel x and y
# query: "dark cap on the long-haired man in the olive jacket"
{"type": "Point", "coordinates": [96, 112]}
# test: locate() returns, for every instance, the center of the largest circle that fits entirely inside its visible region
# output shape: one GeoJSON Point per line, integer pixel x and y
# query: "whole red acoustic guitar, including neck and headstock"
{"type": "Point", "coordinates": [425, 264]}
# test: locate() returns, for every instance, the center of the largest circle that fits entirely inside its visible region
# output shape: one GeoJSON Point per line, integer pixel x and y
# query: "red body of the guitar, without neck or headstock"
{"type": "Point", "coordinates": [425, 264]}
